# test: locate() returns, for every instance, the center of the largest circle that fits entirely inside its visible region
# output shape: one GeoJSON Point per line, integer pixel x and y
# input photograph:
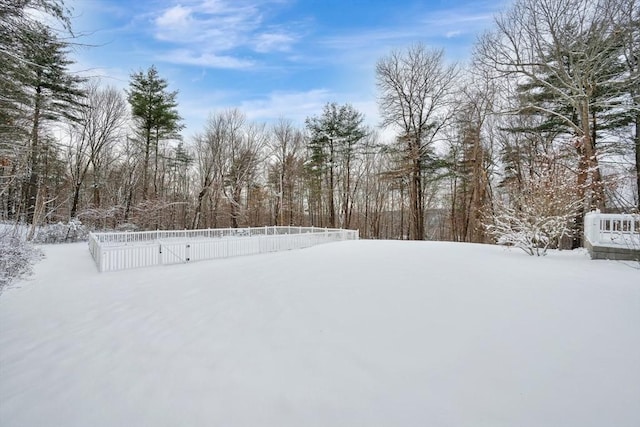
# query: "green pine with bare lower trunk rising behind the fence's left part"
{"type": "Point", "coordinates": [156, 119]}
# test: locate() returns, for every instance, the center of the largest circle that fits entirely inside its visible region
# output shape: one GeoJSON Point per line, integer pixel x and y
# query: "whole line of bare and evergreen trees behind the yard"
{"type": "Point", "coordinates": [540, 127]}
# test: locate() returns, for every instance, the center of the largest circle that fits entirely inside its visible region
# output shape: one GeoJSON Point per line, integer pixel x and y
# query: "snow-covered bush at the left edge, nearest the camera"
{"type": "Point", "coordinates": [17, 257]}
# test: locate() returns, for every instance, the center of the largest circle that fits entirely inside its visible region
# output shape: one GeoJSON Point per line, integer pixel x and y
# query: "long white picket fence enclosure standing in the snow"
{"type": "Point", "coordinates": [120, 251]}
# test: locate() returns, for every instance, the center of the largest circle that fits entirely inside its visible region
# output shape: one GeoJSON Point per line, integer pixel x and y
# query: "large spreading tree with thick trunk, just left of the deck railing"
{"type": "Point", "coordinates": [567, 48]}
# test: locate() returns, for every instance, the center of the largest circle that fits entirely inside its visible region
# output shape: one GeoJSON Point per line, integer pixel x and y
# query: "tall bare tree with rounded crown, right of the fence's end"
{"type": "Point", "coordinates": [415, 90]}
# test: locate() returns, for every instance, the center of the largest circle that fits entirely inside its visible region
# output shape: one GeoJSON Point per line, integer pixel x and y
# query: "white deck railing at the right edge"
{"type": "Point", "coordinates": [612, 230]}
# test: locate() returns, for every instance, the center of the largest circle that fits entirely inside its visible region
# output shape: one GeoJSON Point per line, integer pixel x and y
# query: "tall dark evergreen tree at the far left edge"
{"type": "Point", "coordinates": [24, 44]}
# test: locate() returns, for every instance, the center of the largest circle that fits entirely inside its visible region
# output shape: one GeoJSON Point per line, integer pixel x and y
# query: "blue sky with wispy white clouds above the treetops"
{"type": "Point", "coordinates": [270, 58]}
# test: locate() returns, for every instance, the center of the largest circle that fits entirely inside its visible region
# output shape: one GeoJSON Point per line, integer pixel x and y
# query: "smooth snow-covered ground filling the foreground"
{"type": "Point", "coordinates": [360, 333]}
